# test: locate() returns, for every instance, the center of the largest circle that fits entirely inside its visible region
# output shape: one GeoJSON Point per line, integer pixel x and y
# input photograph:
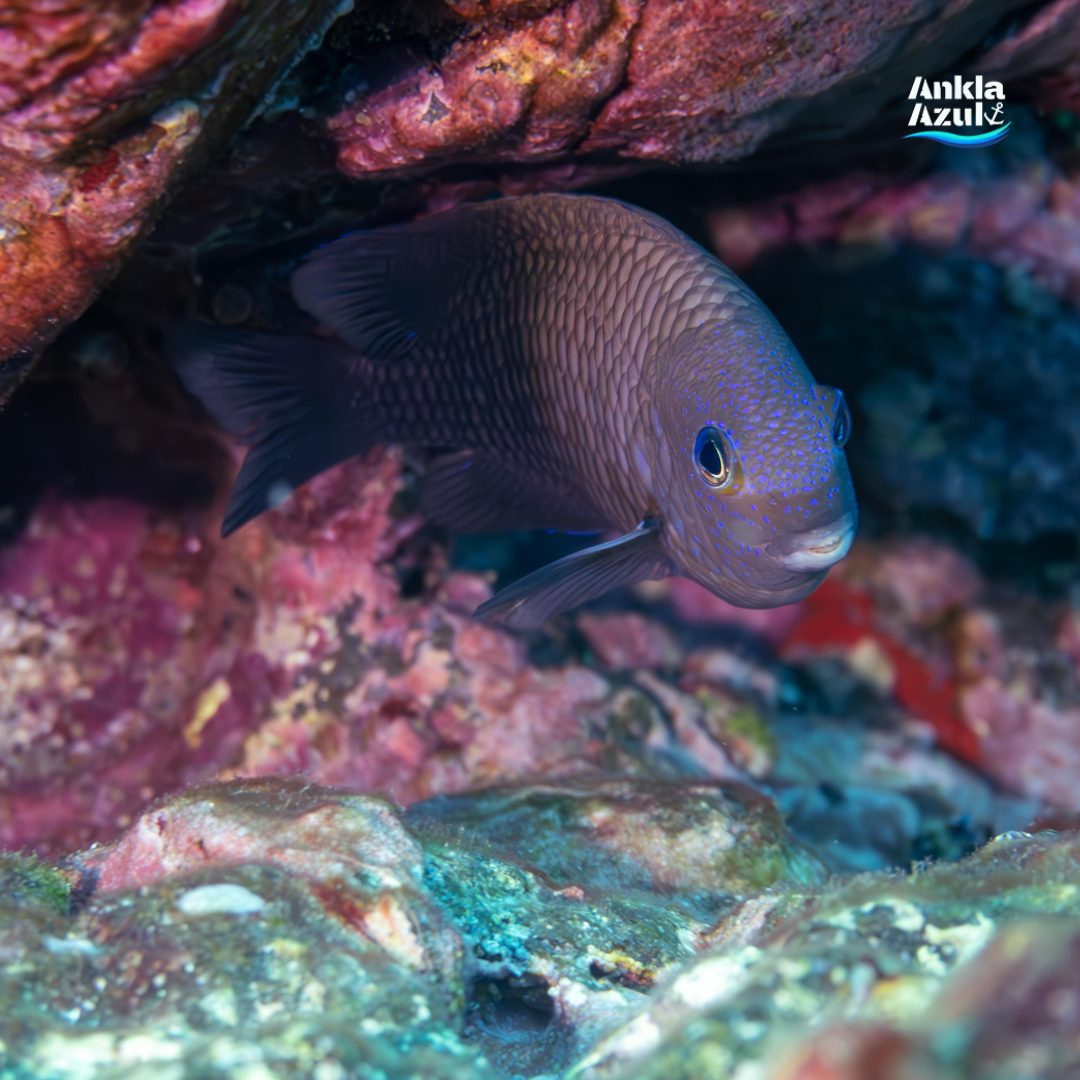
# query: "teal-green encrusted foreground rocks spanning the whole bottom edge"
{"type": "Point", "coordinates": [599, 928]}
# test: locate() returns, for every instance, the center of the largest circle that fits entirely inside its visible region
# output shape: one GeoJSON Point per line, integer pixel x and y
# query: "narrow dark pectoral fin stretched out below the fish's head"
{"type": "Point", "coordinates": [531, 602]}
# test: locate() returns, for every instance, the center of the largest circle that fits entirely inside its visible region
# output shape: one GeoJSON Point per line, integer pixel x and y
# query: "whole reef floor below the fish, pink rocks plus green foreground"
{"type": "Point", "coordinates": [705, 843]}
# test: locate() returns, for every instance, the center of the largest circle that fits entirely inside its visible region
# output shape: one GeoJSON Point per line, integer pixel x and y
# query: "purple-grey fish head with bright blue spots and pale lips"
{"type": "Point", "coordinates": [757, 499]}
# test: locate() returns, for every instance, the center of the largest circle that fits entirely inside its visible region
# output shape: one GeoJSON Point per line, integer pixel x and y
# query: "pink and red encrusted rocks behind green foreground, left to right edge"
{"type": "Point", "coordinates": [140, 655]}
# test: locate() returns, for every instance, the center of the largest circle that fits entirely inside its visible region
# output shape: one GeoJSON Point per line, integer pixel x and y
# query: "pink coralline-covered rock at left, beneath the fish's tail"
{"type": "Point", "coordinates": [141, 655]}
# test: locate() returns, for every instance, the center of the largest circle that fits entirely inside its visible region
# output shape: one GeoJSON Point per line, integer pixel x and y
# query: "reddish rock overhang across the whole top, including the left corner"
{"type": "Point", "coordinates": [103, 110]}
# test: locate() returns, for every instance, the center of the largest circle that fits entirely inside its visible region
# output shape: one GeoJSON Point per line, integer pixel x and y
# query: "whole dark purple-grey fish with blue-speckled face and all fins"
{"type": "Point", "coordinates": [577, 364]}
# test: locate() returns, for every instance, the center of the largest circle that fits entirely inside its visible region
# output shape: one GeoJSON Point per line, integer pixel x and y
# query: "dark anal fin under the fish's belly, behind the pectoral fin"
{"type": "Point", "coordinates": [472, 492]}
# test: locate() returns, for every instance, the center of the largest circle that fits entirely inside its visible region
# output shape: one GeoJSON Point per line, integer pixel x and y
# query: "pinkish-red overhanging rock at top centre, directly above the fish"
{"type": "Point", "coordinates": [656, 80]}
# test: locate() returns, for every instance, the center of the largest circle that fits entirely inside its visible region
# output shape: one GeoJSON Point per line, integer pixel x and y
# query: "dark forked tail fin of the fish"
{"type": "Point", "coordinates": [301, 404]}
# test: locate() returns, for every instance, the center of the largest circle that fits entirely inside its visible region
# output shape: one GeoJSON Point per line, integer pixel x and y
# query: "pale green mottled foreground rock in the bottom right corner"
{"type": "Point", "coordinates": [957, 971]}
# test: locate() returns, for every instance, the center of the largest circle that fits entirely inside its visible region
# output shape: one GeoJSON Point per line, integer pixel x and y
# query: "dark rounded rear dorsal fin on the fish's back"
{"type": "Point", "coordinates": [383, 290]}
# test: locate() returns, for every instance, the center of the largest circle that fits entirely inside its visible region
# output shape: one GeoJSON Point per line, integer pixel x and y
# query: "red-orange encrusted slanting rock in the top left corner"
{"type": "Point", "coordinates": [101, 105]}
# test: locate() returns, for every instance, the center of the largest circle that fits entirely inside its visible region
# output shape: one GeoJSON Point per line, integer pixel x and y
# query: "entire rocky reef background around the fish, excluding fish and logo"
{"type": "Point", "coordinates": [277, 807]}
